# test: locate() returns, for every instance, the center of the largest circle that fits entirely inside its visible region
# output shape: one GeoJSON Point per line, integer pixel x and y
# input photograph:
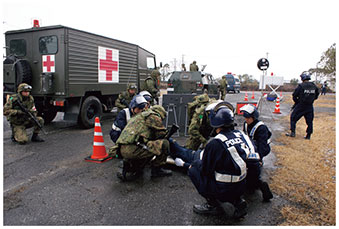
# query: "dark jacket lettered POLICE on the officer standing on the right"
{"type": "Point", "coordinates": [305, 94]}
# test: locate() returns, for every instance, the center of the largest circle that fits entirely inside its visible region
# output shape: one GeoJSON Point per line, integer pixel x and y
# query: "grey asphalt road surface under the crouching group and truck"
{"type": "Point", "coordinates": [50, 183]}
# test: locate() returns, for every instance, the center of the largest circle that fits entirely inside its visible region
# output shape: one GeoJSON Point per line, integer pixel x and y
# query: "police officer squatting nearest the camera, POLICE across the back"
{"type": "Point", "coordinates": [219, 175]}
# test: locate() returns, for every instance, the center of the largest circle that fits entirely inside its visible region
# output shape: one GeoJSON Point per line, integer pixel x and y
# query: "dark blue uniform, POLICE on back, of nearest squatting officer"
{"type": "Point", "coordinates": [221, 171]}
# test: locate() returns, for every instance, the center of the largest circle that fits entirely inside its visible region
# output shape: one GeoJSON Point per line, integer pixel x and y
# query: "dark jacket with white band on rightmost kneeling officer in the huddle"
{"type": "Point", "coordinates": [260, 135]}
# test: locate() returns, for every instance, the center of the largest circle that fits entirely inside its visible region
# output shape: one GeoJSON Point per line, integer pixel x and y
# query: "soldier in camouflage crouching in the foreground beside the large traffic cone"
{"type": "Point", "coordinates": [141, 140]}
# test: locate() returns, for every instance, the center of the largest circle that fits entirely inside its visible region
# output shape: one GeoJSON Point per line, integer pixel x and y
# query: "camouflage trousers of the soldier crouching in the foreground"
{"type": "Point", "coordinates": [158, 148]}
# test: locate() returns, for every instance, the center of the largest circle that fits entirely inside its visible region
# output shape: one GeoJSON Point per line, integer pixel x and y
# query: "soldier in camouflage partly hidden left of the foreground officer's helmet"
{"type": "Point", "coordinates": [199, 128]}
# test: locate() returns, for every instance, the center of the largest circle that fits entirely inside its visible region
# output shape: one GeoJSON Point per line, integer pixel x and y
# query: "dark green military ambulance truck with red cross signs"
{"type": "Point", "coordinates": [73, 71]}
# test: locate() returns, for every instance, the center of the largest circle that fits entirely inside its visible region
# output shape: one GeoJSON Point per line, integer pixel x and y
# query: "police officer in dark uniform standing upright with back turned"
{"type": "Point", "coordinates": [303, 97]}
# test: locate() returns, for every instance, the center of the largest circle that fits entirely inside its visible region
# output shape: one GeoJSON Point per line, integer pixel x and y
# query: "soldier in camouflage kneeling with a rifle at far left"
{"type": "Point", "coordinates": [18, 119]}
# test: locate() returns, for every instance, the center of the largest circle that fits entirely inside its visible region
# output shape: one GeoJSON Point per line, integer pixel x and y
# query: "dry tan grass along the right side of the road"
{"type": "Point", "coordinates": [306, 172]}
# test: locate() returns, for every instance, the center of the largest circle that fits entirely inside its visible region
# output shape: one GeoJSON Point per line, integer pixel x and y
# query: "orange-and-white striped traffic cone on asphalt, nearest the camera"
{"type": "Point", "coordinates": [99, 150]}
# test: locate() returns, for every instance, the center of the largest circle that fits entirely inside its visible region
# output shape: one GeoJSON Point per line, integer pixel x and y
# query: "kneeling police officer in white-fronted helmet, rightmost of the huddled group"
{"type": "Point", "coordinates": [260, 135]}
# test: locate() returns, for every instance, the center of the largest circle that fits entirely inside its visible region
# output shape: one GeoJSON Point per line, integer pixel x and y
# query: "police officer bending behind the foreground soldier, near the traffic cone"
{"type": "Point", "coordinates": [137, 105]}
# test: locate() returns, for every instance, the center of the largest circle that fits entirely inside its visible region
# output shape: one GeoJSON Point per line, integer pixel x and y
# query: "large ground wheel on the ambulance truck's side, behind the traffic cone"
{"type": "Point", "coordinates": [90, 109]}
